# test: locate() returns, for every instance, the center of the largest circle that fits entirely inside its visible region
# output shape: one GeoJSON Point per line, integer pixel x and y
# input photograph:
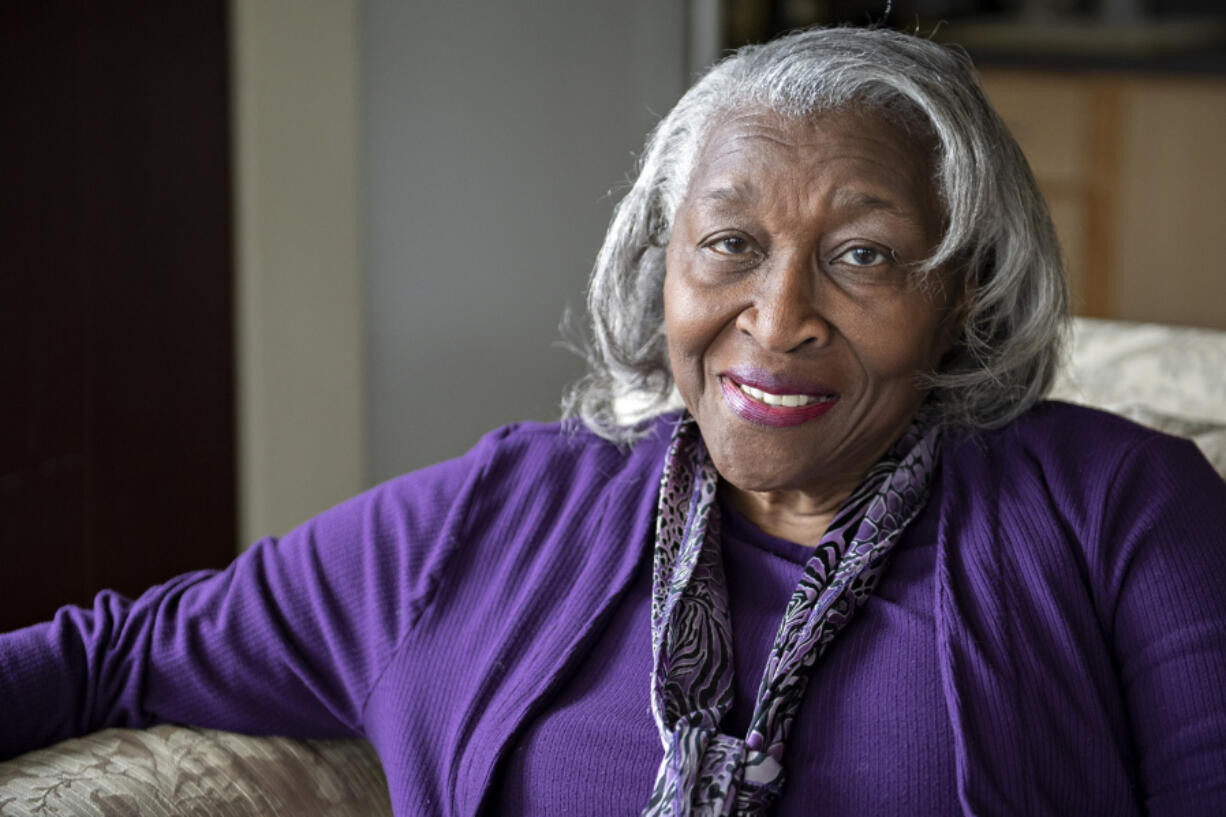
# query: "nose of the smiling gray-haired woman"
{"type": "Point", "coordinates": [785, 313]}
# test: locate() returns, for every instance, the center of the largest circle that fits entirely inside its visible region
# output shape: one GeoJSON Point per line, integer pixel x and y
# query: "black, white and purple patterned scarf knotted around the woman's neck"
{"type": "Point", "coordinates": [704, 772]}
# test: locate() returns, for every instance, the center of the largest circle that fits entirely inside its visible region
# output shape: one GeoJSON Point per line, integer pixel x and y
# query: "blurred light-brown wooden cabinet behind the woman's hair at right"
{"type": "Point", "coordinates": [1135, 171]}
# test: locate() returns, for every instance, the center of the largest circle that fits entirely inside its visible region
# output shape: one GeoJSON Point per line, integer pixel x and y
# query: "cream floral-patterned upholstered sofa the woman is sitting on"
{"type": "Point", "coordinates": [1170, 378]}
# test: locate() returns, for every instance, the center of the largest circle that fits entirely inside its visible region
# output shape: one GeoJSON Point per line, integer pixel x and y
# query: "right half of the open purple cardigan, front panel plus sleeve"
{"type": "Point", "coordinates": [1082, 620]}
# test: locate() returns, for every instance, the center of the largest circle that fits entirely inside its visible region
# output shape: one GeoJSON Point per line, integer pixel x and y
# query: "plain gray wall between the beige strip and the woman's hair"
{"type": "Point", "coordinates": [491, 138]}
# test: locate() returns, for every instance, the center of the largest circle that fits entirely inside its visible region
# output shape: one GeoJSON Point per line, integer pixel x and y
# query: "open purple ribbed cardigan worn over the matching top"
{"type": "Point", "coordinates": [1079, 607]}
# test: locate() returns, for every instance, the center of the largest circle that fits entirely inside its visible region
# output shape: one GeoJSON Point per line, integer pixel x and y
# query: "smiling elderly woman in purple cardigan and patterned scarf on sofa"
{"type": "Point", "coordinates": [865, 572]}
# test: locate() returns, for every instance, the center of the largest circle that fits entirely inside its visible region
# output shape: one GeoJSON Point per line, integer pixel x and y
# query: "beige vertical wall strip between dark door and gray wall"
{"type": "Point", "coordinates": [299, 290]}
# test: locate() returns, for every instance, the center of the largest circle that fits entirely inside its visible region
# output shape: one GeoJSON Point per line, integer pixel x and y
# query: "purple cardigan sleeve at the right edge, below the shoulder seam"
{"type": "Point", "coordinates": [1165, 524]}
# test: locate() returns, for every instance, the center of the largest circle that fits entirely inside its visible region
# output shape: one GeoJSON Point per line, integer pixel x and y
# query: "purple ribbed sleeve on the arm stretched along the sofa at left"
{"type": "Point", "coordinates": [287, 641]}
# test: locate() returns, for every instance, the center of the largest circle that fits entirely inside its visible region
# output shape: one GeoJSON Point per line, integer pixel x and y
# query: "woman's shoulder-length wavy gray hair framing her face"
{"type": "Point", "coordinates": [1000, 247]}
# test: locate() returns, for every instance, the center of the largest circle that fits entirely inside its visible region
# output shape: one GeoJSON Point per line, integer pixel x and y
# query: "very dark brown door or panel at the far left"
{"type": "Point", "coordinates": [117, 377]}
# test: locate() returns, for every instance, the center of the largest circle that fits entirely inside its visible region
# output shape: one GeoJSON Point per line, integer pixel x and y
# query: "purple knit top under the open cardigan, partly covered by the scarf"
{"type": "Point", "coordinates": [898, 744]}
